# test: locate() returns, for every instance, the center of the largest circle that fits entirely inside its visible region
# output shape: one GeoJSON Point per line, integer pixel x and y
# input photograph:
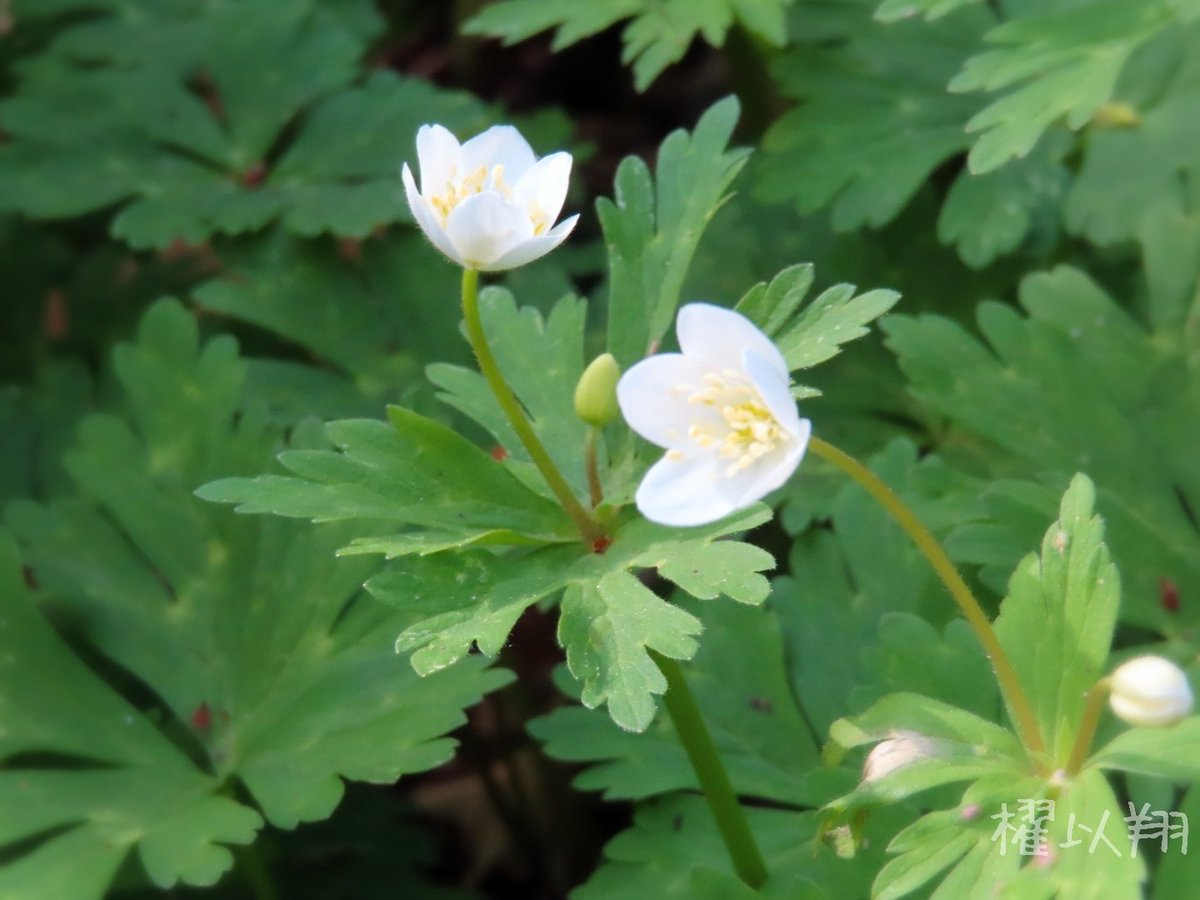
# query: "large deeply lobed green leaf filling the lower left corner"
{"type": "Point", "coordinates": [255, 645]}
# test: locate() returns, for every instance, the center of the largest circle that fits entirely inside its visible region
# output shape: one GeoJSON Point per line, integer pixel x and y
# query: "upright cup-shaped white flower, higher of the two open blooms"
{"type": "Point", "coordinates": [489, 205]}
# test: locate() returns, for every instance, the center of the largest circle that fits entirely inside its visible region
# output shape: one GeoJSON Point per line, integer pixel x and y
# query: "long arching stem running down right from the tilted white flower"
{"type": "Point", "coordinates": [1010, 685]}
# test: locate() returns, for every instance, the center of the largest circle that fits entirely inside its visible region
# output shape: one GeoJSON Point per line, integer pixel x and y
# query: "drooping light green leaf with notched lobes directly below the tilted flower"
{"type": "Point", "coordinates": [610, 620]}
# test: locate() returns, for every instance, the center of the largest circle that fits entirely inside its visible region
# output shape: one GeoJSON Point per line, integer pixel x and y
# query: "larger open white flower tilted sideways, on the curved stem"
{"type": "Point", "coordinates": [723, 411]}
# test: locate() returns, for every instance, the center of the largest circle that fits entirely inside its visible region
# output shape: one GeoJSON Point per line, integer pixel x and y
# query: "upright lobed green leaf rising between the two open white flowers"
{"type": "Point", "coordinates": [652, 227]}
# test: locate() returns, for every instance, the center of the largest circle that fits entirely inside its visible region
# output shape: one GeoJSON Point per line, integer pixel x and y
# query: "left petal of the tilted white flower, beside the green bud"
{"type": "Point", "coordinates": [653, 398]}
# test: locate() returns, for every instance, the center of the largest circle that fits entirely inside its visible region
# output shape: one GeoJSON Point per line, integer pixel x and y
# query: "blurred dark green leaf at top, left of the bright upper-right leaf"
{"type": "Point", "coordinates": [873, 119]}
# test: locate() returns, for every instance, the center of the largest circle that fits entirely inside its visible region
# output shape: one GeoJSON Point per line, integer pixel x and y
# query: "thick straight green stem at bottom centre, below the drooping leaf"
{"type": "Point", "coordinates": [715, 782]}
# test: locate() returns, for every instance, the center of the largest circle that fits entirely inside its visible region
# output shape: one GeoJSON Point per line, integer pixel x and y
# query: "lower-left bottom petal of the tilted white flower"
{"type": "Point", "coordinates": [683, 493]}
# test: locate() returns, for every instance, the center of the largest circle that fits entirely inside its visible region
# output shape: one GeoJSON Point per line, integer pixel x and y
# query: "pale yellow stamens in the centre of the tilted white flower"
{"type": "Point", "coordinates": [748, 431]}
